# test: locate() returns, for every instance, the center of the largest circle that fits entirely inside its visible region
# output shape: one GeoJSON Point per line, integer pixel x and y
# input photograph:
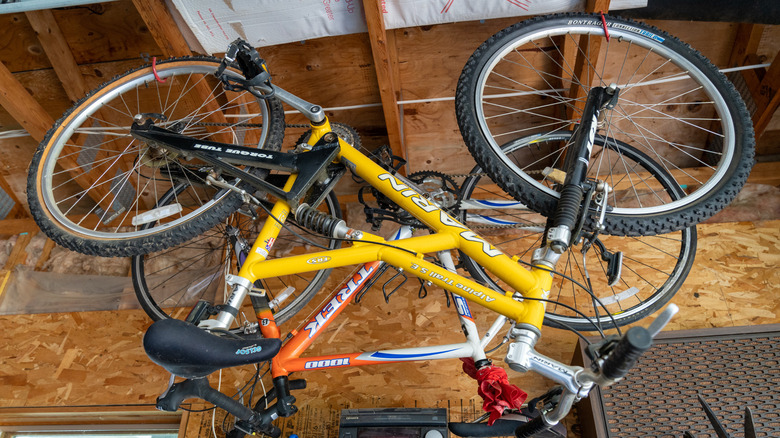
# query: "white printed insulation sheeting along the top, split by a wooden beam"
{"type": "Point", "coordinates": [271, 22]}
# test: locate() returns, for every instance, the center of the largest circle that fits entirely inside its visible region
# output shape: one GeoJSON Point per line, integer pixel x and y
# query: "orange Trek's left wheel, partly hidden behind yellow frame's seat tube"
{"type": "Point", "coordinates": [169, 282]}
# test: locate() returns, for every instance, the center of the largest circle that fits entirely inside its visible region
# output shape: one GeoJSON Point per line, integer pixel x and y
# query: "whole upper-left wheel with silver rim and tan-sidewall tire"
{"type": "Point", "coordinates": [92, 187]}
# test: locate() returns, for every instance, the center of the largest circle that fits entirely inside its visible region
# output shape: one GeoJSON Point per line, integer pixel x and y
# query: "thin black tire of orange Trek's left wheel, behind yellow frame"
{"type": "Point", "coordinates": [156, 313]}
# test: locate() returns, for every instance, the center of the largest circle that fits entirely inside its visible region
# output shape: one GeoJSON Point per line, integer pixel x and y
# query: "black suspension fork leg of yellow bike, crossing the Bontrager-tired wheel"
{"type": "Point", "coordinates": [576, 168]}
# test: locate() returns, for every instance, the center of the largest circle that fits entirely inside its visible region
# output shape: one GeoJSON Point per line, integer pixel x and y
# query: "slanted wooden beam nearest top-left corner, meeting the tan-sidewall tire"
{"type": "Point", "coordinates": [57, 50]}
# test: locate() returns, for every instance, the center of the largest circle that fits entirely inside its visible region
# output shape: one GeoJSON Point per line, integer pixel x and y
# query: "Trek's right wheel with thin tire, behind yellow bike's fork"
{"type": "Point", "coordinates": [653, 267]}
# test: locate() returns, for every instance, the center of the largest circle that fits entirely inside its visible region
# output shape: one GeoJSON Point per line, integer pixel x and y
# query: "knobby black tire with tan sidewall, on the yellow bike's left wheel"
{"type": "Point", "coordinates": [124, 247]}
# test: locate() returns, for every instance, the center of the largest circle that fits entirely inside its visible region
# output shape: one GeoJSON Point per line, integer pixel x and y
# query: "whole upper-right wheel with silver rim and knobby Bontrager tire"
{"type": "Point", "coordinates": [672, 104]}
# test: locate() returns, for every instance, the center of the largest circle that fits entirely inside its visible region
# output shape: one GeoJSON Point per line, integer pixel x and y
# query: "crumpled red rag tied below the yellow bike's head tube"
{"type": "Point", "coordinates": [494, 388]}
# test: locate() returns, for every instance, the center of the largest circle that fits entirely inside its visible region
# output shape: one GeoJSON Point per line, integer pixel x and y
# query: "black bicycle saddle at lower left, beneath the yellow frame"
{"type": "Point", "coordinates": [190, 352]}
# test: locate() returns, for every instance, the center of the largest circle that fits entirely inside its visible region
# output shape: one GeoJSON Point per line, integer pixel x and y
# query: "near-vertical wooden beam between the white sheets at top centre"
{"type": "Point", "coordinates": [383, 63]}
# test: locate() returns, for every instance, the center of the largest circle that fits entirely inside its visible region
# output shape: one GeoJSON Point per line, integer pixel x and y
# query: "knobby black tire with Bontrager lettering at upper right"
{"type": "Point", "coordinates": [663, 222]}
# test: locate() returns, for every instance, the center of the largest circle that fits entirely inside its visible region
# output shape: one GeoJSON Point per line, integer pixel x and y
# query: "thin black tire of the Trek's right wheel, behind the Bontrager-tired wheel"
{"type": "Point", "coordinates": [682, 271]}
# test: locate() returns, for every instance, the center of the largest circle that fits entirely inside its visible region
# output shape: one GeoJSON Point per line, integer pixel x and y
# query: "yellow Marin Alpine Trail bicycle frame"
{"type": "Point", "coordinates": [407, 254]}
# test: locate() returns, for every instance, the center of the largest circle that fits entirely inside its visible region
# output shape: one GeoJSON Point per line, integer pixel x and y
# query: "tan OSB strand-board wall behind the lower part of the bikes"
{"type": "Point", "coordinates": [95, 358]}
